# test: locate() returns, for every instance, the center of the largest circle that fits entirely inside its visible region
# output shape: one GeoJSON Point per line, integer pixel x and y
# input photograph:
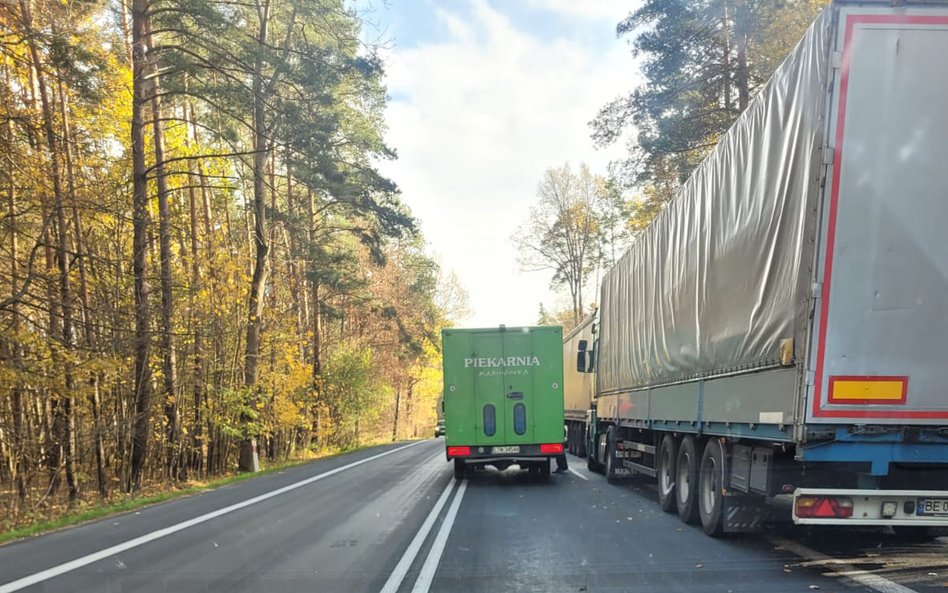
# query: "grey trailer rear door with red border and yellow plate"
{"type": "Point", "coordinates": [881, 323]}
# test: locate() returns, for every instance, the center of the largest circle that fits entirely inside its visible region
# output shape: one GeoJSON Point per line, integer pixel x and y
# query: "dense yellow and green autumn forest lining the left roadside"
{"type": "Point", "coordinates": [149, 113]}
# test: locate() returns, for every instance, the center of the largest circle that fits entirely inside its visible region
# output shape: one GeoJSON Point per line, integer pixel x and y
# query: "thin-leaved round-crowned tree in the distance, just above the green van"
{"type": "Point", "coordinates": [564, 230]}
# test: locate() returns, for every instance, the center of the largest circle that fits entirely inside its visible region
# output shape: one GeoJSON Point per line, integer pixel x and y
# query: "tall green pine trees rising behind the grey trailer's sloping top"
{"type": "Point", "coordinates": [703, 61]}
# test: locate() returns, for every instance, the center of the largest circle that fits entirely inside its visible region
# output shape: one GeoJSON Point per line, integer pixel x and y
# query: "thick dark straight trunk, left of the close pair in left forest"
{"type": "Point", "coordinates": [140, 223]}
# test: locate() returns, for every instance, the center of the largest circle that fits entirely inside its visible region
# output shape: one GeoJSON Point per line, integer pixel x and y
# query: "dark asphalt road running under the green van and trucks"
{"type": "Point", "coordinates": [392, 519]}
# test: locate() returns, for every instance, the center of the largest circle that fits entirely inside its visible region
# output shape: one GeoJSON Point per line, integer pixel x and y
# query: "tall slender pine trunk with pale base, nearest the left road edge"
{"type": "Point", "coordinates": [261, 248]}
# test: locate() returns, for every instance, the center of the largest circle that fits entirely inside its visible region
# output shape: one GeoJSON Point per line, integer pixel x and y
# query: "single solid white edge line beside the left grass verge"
{"type": "Point", "coordinates": [55, 571]}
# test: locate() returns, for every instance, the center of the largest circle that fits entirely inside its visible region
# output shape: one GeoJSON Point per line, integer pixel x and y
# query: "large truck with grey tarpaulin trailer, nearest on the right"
{"type": "Point", "coordinates": [781, 328]}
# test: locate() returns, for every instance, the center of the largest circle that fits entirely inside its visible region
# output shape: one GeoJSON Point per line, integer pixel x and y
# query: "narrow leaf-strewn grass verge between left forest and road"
{"type": "Point", "coordinates": [130, 503]}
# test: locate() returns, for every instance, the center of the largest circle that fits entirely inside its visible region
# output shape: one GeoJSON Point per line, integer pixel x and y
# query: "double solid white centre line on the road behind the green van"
{"type": "Point", "coordinates": [428, 569]}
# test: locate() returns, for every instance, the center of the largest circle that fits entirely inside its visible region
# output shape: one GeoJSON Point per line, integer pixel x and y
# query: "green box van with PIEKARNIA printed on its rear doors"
{"type": "Point", "coordinates": [503, 397]}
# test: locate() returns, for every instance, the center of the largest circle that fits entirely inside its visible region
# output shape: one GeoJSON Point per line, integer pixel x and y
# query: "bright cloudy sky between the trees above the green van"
{"type": "Point", "coordinates": [484, 96]}
